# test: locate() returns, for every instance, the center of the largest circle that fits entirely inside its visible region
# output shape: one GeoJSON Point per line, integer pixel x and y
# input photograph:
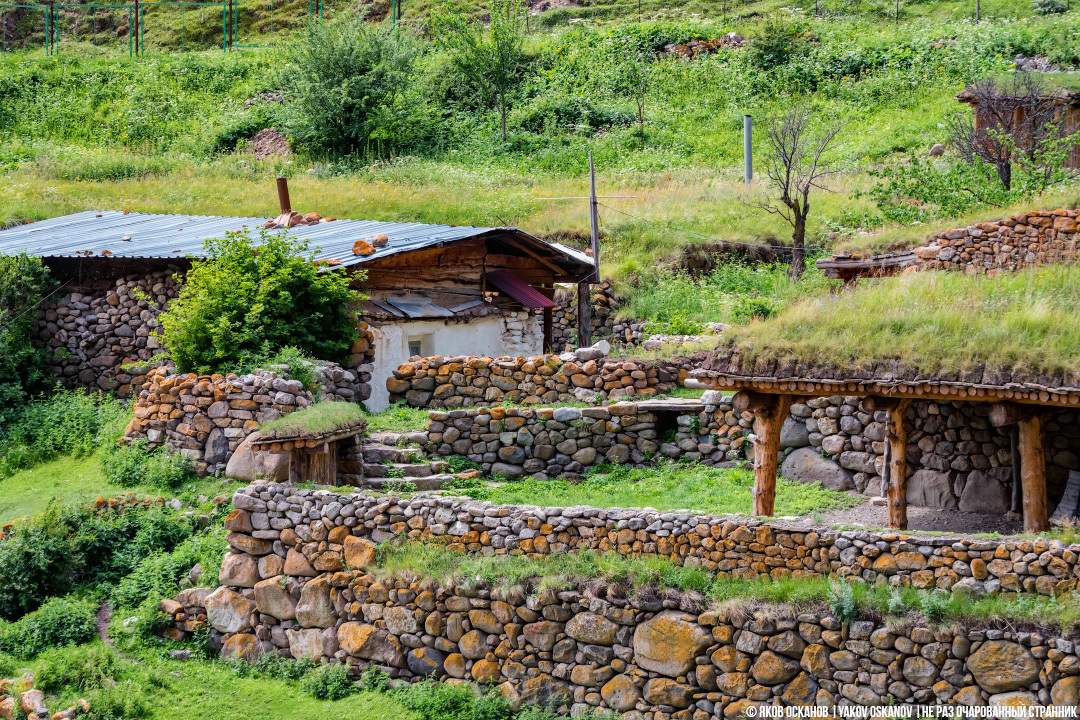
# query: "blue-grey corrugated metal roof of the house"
{"type": "Point", "coordinates": [98, 234]}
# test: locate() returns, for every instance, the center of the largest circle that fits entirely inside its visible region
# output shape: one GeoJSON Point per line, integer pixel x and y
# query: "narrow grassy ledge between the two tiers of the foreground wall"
{"type": "Point", "coordinates": [514, 576]}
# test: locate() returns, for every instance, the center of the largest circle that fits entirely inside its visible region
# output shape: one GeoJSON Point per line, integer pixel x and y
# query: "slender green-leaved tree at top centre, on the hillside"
{"type": "Point", "coordinates": [493, 57]}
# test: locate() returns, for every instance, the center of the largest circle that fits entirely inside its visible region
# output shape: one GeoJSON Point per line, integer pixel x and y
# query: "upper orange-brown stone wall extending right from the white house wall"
{"type": "Point", "coordinates": [586, 376]}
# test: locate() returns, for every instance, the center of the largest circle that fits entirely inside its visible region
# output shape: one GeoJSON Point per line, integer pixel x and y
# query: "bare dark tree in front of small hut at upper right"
{"type": "Point", "coordinates": [1015, 120]}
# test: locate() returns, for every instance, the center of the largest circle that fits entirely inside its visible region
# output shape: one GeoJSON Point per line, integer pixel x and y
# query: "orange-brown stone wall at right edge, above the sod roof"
{"type": "Point", "coordinates": [1028, 239]}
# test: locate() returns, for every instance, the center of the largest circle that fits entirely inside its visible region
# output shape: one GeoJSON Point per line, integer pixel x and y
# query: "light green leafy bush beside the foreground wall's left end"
{"type": "Point", "coordinates": [160, 574]}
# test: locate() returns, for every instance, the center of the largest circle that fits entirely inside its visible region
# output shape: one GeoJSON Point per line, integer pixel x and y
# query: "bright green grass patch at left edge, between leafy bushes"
{"type": "Point", "coordinates": [70, 481]}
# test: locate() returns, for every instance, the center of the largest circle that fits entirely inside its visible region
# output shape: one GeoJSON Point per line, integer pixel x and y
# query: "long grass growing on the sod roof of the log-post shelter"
{"type": "Point", "coordinates": [934, 323]}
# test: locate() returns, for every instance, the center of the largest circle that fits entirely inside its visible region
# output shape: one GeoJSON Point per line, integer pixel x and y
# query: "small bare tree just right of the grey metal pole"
{"type": "Point", "coordinates": [795, 165]}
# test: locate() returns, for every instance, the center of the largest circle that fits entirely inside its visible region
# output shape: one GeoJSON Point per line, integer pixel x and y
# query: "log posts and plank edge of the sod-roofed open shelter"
{"type": "Point", "coordinates": [1017, 404]}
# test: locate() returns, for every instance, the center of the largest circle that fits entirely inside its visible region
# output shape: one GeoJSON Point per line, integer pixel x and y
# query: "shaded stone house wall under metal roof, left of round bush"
{"type": "Point", "coordinates": [89, 336]}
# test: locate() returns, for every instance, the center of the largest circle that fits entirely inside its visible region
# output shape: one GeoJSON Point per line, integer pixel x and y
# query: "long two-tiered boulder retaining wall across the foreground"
{"type": "Point", "coordinates": [294, 582]}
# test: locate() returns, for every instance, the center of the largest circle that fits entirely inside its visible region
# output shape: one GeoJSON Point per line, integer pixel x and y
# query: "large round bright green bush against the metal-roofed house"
{"type": "Point", "coordinates": [253, 298]}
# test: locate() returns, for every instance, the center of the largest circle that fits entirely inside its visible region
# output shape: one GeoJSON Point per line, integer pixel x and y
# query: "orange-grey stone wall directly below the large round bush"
{"type": "Point", "coordinates": [208, 417]}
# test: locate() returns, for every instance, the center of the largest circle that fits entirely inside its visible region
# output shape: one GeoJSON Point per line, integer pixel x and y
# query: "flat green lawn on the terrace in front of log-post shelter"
{"type": "Point", "coordinates": [695, 488]}
